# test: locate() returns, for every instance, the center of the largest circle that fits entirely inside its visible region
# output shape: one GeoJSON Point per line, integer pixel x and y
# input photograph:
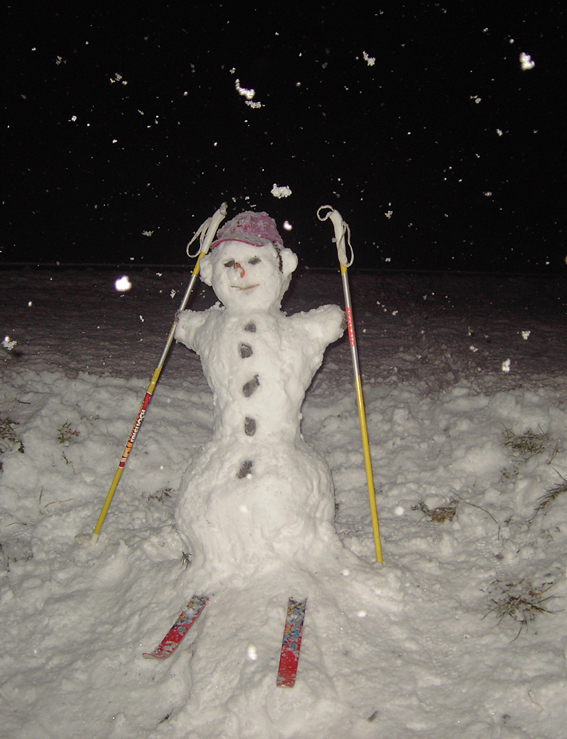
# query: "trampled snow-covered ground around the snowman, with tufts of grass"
{"type": "Point", "coordinates": [461, 632]}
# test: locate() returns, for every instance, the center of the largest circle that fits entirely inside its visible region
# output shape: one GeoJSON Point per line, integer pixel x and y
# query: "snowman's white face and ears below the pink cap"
{"type": "Point", "coordinates": [246, 277]}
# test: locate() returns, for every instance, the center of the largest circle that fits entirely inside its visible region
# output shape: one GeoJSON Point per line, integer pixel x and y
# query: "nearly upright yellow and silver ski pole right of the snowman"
{"type": "Point", "coordinates": [342, 229]}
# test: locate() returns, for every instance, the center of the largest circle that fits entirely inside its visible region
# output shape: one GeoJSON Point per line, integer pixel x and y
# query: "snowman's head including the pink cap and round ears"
{"type": "Point", "coordinates": [248, 266]}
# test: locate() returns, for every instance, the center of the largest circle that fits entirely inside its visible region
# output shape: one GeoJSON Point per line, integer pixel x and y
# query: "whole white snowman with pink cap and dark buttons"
{"type": "Point", "coordinates": [258, 495]}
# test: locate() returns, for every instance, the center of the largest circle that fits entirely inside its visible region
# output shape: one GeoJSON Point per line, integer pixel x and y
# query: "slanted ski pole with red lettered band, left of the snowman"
{"type": "Point", "coordinates": [207, 233]}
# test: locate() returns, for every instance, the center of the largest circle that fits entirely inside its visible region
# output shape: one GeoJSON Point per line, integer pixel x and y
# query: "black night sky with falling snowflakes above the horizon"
{"type": "Point", "coordinates": [126, 128]}
